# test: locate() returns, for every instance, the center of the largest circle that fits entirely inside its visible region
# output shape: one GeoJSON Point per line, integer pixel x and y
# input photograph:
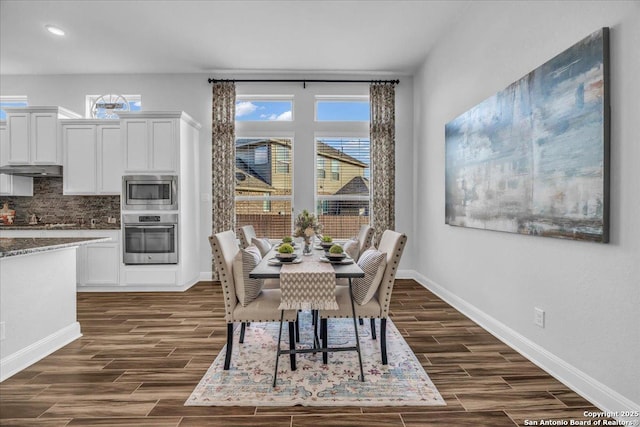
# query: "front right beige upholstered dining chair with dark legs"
{"type": "Point", "coordinates": [392, 244]}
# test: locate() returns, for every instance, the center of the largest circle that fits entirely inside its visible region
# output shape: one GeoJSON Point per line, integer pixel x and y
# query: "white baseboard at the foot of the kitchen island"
{"type": "Point", "coordinates": [21, 359]}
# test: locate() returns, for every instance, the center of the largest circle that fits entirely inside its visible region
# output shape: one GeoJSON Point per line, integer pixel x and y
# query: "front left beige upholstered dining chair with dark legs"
{"type": "Point", "coordinates": [264, 308]}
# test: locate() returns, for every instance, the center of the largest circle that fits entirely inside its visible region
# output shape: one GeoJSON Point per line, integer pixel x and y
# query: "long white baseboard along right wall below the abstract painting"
{"type": "Point", "coordinates": [594, 391]}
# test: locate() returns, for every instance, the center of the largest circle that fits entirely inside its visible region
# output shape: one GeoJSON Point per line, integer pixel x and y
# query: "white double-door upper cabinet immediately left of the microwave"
{"type": "Point", "coordinates": [92, 157]}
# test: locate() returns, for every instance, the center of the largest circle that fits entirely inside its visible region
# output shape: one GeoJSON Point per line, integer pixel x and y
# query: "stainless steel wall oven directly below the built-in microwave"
{"type": "Point", "coordinates": [150, 238]}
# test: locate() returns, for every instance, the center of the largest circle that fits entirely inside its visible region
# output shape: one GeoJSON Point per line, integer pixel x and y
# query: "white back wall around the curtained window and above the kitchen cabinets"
{"type": "Point", "coordinates": [192, 93]}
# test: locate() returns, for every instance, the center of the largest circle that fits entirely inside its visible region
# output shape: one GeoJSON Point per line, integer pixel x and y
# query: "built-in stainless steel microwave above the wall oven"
{"type": "Point", "coordinates": [150, 192]}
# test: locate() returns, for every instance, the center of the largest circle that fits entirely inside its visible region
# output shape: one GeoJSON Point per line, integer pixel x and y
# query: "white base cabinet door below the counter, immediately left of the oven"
{"type": "Point", "coordinates": [102, 264]}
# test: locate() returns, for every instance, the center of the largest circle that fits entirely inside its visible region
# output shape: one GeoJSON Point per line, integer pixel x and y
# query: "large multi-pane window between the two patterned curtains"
{"type": "Point", "coordinates": [330, 132]}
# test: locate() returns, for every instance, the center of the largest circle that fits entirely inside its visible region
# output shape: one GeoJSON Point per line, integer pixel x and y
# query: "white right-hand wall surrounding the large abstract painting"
{"type": "Point", "coordinates": [590, 291]}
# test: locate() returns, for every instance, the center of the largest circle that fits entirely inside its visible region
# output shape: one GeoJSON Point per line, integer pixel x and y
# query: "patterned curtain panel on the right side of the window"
{"type": "Point", "coordinates": [382, 139]}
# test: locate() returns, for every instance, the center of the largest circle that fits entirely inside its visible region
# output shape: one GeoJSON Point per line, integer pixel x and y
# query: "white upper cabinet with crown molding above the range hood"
{"type": "Point", "coordinates": [33, 135]}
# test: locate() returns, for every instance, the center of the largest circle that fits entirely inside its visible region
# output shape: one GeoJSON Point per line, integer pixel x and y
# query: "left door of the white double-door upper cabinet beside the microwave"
{"type": "Point", "coordinates": [79, 171]}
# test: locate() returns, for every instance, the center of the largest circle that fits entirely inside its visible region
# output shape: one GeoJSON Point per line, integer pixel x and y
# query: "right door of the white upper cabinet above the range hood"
{"type": "Point", "coordinates": [44, 139]}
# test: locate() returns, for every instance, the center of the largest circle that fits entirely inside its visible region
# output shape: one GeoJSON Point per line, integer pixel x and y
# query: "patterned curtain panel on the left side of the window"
{"type": "Point", "coordinates": [223, 159]}
